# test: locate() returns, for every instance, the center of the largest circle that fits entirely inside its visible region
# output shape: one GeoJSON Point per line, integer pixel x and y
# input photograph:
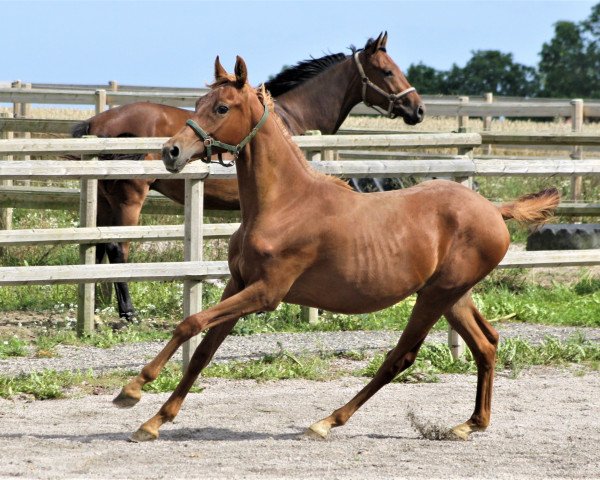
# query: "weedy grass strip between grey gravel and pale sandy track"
{"type": "Point", "coordinates": [514, 355]}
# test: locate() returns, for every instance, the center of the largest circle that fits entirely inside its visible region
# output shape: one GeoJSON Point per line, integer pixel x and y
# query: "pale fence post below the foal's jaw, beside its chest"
{"type": "Point", "coordinates": [192, 290]}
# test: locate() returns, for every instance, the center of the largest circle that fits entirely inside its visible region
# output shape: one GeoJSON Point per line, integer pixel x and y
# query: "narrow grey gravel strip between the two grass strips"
{"type": "Point", "coordinates": [136, 355]}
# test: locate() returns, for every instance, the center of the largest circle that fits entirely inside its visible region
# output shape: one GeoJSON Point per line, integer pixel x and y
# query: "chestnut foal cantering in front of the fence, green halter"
{"type": "Point", "coordinates": [297, 243]}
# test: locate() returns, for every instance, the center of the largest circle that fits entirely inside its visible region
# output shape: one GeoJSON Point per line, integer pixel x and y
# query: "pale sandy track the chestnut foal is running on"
{"type": "Point", "coordinates": [545, 424]}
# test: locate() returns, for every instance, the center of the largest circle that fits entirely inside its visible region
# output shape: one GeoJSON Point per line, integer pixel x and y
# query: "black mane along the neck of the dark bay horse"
{"type": "Point", "coordinates": [296, 75]}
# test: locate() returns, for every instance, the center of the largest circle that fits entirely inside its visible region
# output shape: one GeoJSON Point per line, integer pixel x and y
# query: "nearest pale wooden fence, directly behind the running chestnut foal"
{"type": "Point", "coordinates": [193, 269]}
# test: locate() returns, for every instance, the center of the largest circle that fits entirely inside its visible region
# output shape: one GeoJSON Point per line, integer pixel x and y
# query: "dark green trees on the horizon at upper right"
{"type": "Point", "coordinates": [569, 67]}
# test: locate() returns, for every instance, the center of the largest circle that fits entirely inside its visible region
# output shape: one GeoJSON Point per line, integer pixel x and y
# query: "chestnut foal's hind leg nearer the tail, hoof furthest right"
{"type": "Point", "coordinates": [482, 340]}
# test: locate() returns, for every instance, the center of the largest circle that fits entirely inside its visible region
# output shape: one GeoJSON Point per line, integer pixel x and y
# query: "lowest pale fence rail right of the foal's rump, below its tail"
{"type": "Point", "coordinates": [551, 258]}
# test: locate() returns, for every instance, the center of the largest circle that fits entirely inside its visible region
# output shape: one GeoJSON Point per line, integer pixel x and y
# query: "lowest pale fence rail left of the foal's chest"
{"type": "Point", "coordinates": [128, 272]}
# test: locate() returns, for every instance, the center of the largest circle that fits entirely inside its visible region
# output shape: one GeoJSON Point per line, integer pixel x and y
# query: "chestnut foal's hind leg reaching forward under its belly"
{"type": "Point", "coordinates": [429, 307]}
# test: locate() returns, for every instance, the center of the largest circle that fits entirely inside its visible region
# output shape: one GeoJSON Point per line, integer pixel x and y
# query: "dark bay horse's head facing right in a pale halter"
{"type": "Point", "coordinates": [384, 85]}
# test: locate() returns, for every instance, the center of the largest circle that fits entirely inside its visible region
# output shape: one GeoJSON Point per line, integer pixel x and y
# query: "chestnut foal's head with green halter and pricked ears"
{"type": "Point", "coordinates": [221, 123]}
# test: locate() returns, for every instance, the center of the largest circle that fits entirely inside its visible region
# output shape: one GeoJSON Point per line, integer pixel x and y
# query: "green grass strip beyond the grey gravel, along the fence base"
{"type": "Point", "coordinates": [506, 294]}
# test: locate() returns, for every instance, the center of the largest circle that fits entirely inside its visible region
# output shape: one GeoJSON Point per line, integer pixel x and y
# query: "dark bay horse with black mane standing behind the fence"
{"type": "Point", "coordinates": [316, 94]}
